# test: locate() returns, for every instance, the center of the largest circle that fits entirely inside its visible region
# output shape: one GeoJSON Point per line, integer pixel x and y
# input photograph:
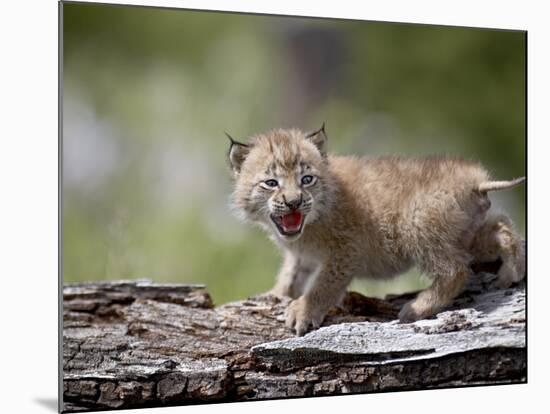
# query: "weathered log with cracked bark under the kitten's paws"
{"type": "Point", "coordinates": [139, 344]}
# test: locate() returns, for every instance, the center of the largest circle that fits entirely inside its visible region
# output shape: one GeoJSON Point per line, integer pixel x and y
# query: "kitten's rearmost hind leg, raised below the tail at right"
{"type": "Point", "coordinates": [497, 239]}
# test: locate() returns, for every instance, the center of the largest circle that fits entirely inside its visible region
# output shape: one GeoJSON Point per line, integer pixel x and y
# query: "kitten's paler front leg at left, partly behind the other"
{"type": "Point", "coordinates": [293, 276]}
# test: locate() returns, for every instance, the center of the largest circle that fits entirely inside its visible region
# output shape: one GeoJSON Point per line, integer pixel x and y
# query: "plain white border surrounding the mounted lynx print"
{"type": "Point", "coordinates": [28, 174]}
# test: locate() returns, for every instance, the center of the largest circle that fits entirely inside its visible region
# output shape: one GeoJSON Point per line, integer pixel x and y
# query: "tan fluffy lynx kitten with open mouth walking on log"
{"type": "Point", "coordinates": [336, 218]}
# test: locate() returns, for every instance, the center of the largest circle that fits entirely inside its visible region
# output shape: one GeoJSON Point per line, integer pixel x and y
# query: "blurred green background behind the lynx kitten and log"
{"type": "Point", "coordinates": [148, 93]}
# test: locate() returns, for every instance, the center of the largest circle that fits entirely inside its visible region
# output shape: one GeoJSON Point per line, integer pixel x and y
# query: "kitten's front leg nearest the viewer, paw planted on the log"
{"type": "Point", "coordinates": [327, 290]}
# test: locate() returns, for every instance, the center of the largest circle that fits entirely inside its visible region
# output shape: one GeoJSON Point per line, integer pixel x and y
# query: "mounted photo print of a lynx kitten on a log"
{"type": "Point", "coordinates": [259, 207]}
